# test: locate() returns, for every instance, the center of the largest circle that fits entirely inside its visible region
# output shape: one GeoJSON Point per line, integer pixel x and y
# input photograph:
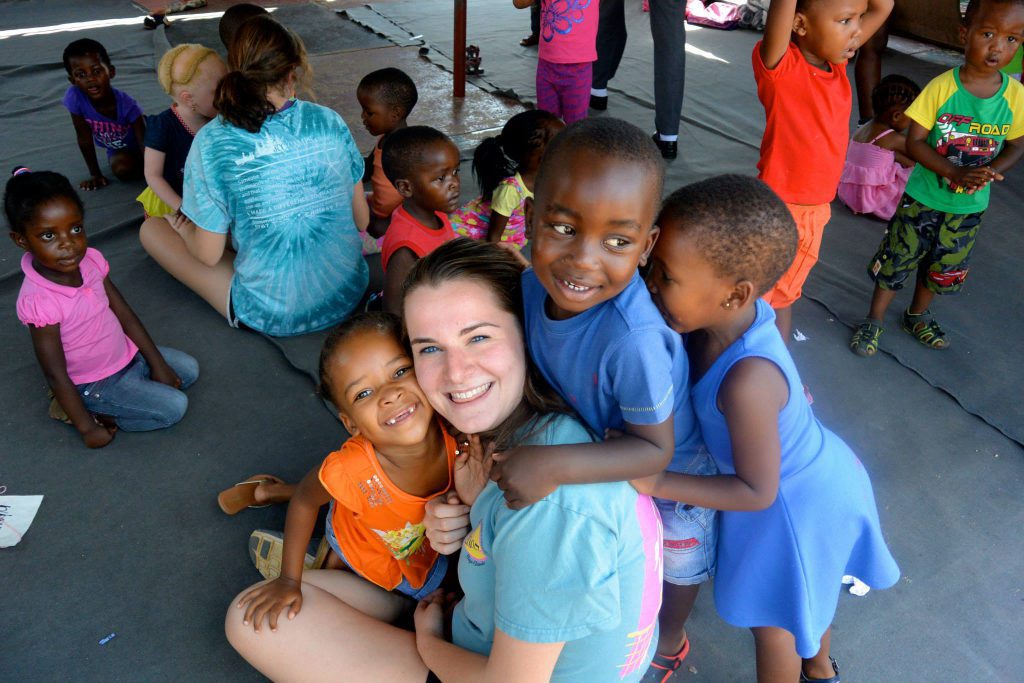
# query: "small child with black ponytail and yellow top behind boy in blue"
{"type": "Point", "coordinates": [506, 167]}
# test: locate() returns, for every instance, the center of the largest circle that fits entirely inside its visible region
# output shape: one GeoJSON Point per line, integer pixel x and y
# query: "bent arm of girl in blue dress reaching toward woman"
{"type": "Point", "coordinates": [751, 397]}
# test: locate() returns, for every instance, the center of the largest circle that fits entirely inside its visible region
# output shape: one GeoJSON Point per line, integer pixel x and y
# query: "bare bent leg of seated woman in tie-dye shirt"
{"type": "Point", "coordinates": [169, 250]}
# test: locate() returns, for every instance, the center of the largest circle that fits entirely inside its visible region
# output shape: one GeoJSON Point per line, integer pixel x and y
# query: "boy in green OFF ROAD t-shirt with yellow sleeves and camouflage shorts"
{"type": "Point", "coordinates": [967, 131]}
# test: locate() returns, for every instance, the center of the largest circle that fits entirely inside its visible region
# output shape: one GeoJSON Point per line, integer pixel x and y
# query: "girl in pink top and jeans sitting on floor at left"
{"type": "Point", "coordinates": [104, 369]}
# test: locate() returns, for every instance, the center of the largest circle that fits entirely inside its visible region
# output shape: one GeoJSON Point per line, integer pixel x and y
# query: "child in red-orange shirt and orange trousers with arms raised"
{"type": "Point", "coordinates": [800, 70]}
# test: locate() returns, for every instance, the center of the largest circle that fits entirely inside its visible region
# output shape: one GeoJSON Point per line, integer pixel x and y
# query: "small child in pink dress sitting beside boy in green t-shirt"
{"type": "Point", "coordinates": [877, 166]}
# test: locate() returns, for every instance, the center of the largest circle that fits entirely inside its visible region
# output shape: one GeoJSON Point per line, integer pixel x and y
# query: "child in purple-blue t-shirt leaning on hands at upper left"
{"type": "Point", "coordinates": [103, 114]}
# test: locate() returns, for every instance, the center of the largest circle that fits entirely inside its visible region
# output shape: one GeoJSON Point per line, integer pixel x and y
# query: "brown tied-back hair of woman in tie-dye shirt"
{"type": "Point", "coordinates": [263, 57]}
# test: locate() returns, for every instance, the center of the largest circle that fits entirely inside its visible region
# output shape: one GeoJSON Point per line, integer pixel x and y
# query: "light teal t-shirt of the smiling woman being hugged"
{"type": "Point", "coordinates": [581, 567]}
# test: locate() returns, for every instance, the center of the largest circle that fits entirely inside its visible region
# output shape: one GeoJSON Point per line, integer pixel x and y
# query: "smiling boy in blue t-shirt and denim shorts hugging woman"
{"type": "Point", "coordinates": [600, 340]}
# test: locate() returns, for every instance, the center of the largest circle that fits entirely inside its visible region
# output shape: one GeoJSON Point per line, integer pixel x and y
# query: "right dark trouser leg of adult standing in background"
{"type": "Point", "coordinates": [668, 29]}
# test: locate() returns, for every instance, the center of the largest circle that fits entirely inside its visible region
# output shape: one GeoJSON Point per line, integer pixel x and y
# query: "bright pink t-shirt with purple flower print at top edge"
{"type": "Point", "coordinates": [569, 31]}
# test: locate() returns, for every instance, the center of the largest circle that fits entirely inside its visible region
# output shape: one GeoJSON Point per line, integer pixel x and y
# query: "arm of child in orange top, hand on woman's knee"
{"type": "Point", "coordinates": [273, 599]}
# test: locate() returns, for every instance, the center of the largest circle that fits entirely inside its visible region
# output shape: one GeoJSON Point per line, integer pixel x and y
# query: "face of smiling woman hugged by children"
{"type": "Point", "coordinates": [468, 352]}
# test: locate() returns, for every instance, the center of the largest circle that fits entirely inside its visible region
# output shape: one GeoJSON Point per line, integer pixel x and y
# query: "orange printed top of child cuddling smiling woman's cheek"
{"type": "Point", "coordinates": [379, 527]}
